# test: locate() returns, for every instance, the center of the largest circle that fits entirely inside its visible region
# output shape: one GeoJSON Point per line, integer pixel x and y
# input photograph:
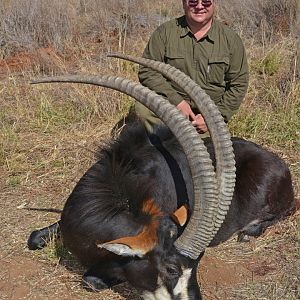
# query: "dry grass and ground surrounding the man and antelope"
{"type": "Point", "coordinates": [48, 134]}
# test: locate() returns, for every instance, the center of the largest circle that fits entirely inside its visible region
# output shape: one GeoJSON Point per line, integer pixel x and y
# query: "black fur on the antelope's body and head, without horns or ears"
{"type": "Point", "coordinates": [106, 205]}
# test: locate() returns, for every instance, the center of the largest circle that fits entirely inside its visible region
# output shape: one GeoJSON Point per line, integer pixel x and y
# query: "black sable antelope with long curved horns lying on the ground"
{"type": "Point", "coordinates": [151, 204]}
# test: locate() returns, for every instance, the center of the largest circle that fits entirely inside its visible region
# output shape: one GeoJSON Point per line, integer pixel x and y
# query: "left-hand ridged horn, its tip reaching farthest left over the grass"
{"type": "Point", "coordinates": [200, 163]}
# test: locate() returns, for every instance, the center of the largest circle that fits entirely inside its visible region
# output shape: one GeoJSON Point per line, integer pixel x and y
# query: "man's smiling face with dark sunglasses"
{"type": "Point", "coordinates": [198, 11]}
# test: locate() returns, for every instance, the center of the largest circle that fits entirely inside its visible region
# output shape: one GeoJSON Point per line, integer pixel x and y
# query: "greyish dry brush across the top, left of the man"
{"type": "Point", "coordinates": [32, 24]}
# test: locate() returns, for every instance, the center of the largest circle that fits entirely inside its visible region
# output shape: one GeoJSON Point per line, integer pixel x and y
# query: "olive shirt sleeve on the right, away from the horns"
{"type": "Point", "coordinates": [236, 78]}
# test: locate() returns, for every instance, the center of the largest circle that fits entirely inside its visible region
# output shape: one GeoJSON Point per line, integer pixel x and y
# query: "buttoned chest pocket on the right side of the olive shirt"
{"type": "Point", "coordinates": [216, 69]}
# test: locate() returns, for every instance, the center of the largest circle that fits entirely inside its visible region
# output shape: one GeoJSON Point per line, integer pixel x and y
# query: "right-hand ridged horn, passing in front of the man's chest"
{"type": "Point", "coordinates": [220, 136]}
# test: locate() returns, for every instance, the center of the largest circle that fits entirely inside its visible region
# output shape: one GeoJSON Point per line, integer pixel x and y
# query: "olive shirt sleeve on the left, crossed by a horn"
{"type": "Point", "coordinates": [155, 50]}
